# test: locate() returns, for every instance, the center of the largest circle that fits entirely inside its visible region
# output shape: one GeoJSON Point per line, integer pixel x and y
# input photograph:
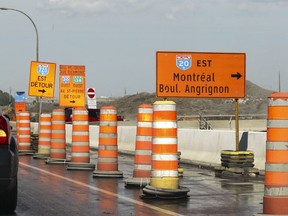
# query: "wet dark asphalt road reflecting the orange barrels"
{"type": "Point", "coordinates": [49, 189]}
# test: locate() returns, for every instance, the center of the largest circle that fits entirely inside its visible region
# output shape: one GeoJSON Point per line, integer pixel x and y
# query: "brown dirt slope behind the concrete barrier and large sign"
{"type": "Point", "coordinates": [255, 102]}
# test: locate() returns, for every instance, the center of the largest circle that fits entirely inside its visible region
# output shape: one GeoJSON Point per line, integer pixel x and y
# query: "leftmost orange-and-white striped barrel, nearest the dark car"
{"type": "Point", "coordinates": [24, 133]}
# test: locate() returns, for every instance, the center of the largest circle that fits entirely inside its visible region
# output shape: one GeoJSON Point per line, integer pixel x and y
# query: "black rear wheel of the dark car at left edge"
{"type": "Point", "coordinates": [8, 199]}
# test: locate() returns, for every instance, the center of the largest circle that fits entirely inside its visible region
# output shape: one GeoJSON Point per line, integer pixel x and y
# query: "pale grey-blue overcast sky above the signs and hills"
{"type": "Point", "coordinates": [117, 40]}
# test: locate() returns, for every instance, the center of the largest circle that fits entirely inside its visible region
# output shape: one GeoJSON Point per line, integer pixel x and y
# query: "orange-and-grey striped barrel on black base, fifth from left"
{"type": "Point", "coordinates": [107, 165]}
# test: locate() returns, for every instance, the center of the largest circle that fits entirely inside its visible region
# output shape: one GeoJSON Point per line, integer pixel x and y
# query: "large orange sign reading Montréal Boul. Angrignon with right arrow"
{"type": "Point", "coordinates": [200, 75]}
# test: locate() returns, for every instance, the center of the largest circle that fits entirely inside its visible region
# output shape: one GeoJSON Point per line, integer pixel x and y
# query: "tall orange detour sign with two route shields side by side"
{"type": "Point", "coordinates": [72, 85]}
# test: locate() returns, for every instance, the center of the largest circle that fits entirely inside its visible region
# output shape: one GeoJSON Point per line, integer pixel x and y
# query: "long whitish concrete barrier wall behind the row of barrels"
{"type": "Point", "coordinates": [200, 146]}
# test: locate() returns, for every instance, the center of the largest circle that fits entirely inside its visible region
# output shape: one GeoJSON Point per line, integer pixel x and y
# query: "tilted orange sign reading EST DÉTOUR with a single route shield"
{"type": "Point", "coordinates": [42, 79]}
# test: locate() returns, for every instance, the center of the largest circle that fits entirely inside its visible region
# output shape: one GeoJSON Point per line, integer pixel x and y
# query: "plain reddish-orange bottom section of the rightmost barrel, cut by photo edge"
{"type": "Point", "coordinates": [275, 205]}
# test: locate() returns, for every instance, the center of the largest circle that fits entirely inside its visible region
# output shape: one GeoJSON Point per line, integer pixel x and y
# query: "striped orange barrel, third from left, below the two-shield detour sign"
{"type": "Point", "coordinates": [58, 137]}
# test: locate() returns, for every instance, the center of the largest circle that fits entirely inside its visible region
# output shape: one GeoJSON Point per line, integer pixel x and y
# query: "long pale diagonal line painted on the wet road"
{"type": "Point", "coordinates": [101, 190]}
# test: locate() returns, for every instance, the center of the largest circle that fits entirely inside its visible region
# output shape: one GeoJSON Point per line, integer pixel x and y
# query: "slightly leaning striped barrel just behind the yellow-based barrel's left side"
{"type": "Point", "coordinates": [143, 147]}
